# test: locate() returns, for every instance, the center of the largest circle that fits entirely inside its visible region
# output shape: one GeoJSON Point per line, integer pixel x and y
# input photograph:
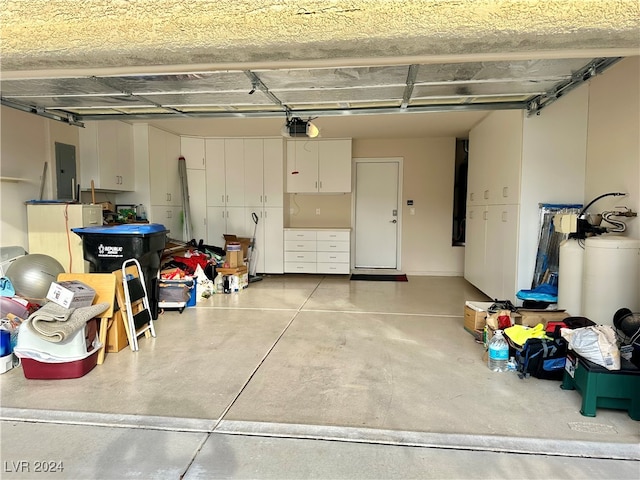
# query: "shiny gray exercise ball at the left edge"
{"type": "Point", "coordinates": [31, 275]}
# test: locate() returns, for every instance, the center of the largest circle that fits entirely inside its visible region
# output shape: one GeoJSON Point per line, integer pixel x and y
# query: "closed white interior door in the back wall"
{"type": "Point", "coordinates": [377, 220]}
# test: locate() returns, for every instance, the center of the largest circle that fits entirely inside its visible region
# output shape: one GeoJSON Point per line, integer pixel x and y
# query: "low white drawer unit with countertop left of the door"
{"type": "Point", "coordinates": [317, 251]}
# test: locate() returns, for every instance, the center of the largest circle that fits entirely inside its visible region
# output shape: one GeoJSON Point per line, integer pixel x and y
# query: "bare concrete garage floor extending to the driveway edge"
{"type": "Point", "coordinates": [310, 377]}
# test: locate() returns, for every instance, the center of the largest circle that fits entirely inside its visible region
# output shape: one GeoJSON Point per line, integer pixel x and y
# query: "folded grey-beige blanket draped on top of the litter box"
{"type": "Point", "coordinates": [48, 328]}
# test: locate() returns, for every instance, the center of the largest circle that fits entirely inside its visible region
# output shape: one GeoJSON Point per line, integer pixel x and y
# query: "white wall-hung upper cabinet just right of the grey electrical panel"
{"type": "Point", "coordinates": [106, 156]}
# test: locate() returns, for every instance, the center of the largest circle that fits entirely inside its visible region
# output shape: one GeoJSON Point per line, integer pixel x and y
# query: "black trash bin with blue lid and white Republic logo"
{"type": "Point", "coordinates": [107, 247]}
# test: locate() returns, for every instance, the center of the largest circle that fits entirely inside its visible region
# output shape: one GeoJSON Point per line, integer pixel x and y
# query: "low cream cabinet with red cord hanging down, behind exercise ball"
{"type": "Point", "coordinates": [49, 231]}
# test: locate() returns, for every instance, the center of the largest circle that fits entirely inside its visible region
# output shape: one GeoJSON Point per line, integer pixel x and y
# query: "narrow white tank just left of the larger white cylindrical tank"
{"type": "Point", "coordinates": [570, 269]}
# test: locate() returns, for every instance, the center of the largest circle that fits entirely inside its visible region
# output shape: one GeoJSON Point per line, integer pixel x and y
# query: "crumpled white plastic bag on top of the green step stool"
{"type": "Point", "coordinates": [597, 344]}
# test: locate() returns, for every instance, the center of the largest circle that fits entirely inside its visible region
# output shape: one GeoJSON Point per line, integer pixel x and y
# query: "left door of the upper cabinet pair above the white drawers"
{"type": "Point", "coordinates": [302, 166]}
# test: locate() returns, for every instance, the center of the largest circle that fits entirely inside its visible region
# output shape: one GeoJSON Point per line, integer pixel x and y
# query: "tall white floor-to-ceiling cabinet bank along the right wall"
{"type": "Point", "coordinates": [495, 159]}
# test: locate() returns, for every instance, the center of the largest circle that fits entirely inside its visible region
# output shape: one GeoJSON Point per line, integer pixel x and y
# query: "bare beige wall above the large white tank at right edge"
{"type": "Point", "coordinates": [613, 146]}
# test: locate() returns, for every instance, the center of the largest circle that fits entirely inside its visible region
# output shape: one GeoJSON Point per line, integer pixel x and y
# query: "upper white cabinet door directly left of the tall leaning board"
{"type": "Point", "coordinates": [164, 176]}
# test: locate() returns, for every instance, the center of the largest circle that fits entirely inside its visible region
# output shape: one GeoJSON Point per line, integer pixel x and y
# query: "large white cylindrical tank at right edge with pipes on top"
{"type": "Point", "coordinates": [611, 277]}
